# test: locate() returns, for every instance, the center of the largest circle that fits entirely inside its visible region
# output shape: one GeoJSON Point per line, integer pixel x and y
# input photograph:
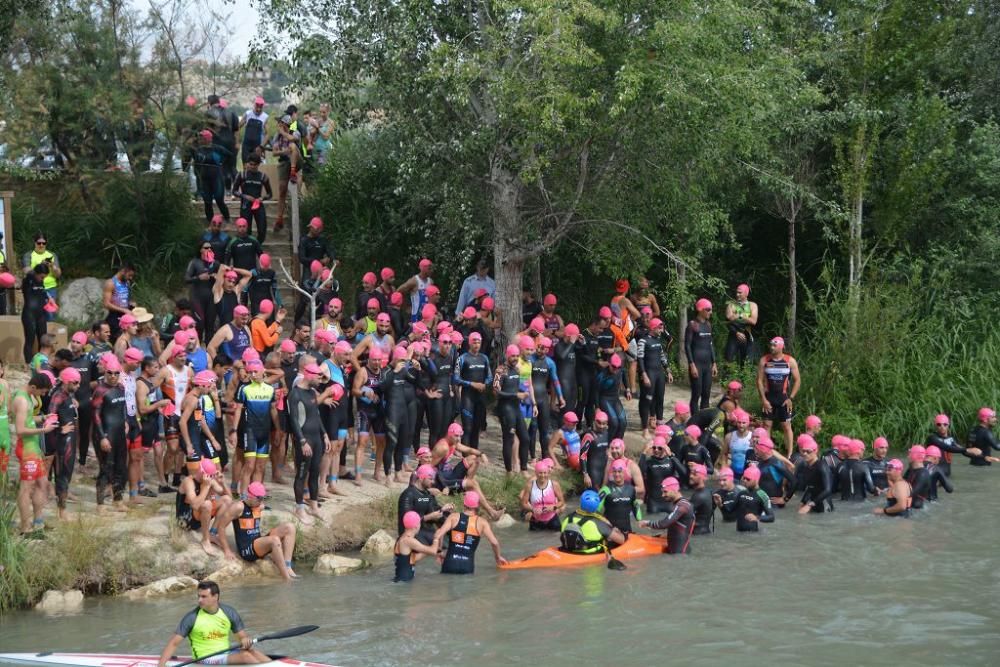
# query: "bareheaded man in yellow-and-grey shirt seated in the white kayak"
{"type": "Point", "coordinates": [208, 628]}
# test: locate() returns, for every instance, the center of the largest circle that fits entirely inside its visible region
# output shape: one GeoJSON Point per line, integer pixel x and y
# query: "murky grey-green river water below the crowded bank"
{"type": "Point", "coordinates": [847, 588]}
